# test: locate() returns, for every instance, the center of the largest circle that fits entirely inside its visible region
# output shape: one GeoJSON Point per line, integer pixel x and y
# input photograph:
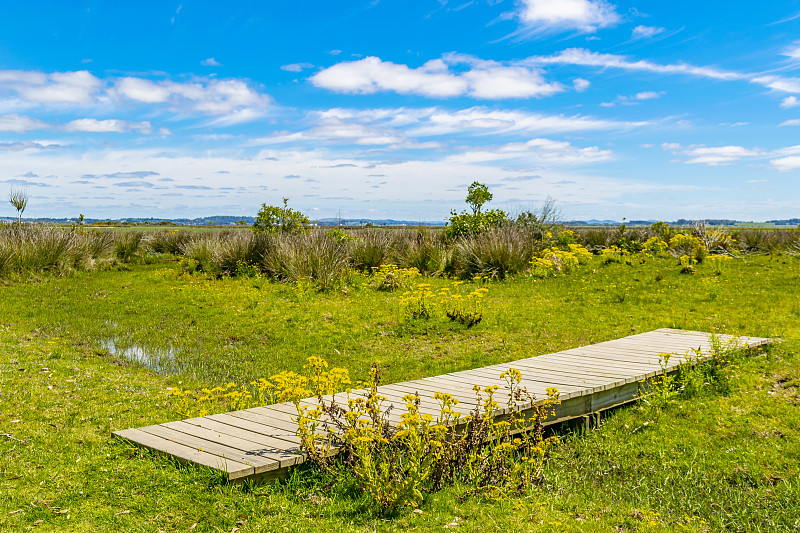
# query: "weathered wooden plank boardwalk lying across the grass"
{"type": "Point", "coordinates": [261, 442]}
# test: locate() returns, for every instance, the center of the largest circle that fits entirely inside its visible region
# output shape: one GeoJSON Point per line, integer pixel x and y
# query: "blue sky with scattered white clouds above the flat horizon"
{"type": "Point", "coordinates": [389, 108]}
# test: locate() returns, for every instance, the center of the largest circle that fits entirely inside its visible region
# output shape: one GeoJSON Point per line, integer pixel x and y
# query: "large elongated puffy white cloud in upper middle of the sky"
{"type": "Point", "coordinates": [484, 79]}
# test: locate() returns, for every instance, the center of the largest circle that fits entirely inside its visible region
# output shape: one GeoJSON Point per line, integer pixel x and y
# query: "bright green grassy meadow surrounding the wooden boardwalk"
{"type": "Point", "coordinates": [93, 344]}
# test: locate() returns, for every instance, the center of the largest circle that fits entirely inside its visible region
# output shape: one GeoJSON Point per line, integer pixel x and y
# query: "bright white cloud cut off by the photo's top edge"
{"type": "Point", "coordinates": [582, 15]}
